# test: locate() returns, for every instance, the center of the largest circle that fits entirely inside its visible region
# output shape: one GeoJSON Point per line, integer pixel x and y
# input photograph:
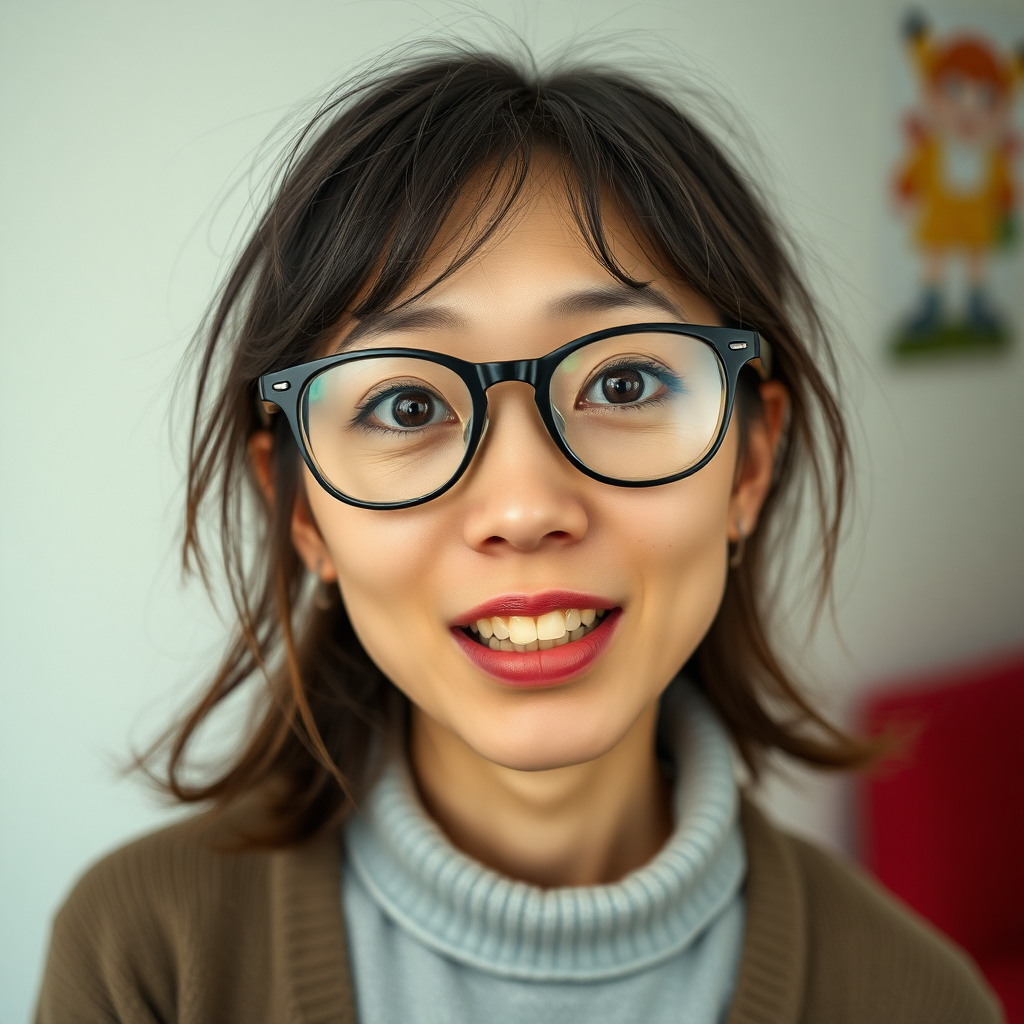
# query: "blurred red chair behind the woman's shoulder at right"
{"type": "Point", "coordinates": [943, 826]}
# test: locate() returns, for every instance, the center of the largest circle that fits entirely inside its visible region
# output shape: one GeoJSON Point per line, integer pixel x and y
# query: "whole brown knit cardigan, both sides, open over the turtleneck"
{"type": "Point", "coordinates": [168, 930]}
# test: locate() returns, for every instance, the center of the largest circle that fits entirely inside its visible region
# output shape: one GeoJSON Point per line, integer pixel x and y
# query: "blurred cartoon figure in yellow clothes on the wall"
{"type": "Point", "coordinates": [958, 178]}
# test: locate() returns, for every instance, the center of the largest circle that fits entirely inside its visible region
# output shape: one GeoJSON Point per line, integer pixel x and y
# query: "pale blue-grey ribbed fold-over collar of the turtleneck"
{"type": "Point", "coordinates": [466, 912]}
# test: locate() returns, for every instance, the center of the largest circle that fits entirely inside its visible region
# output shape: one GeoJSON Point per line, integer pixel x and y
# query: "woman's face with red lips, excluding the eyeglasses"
{"type": "Point", "coordinates": [524, 524]}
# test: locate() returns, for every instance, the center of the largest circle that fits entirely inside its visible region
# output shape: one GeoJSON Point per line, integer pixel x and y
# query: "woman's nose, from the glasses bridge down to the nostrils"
{"type": "Point", "coordinates": [522, 493]}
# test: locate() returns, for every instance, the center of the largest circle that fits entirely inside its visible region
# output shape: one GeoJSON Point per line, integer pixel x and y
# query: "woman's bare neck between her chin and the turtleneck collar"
{"type": "Point", "coordinates": [583, 825]}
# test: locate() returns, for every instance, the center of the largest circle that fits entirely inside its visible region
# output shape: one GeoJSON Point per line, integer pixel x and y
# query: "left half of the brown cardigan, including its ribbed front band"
{"type": "Point", "coordinates": [182, 927]}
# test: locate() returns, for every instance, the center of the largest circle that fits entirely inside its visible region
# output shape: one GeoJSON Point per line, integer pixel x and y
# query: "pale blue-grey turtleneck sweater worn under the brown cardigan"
{"type": "Point", "coordinates": [436, 936]}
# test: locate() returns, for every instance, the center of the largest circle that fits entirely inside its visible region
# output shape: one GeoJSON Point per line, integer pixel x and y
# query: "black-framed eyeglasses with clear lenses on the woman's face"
{"type": "Point", "coordinates": [634, 407]}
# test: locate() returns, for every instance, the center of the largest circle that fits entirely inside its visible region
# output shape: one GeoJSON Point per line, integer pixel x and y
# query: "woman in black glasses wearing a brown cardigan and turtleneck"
{"type": "Point", "coordinates": [523, 381]}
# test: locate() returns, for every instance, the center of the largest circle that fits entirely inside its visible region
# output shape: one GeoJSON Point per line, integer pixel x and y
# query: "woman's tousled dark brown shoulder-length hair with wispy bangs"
{"type": "Point", "coordinates": [362, 195]}
